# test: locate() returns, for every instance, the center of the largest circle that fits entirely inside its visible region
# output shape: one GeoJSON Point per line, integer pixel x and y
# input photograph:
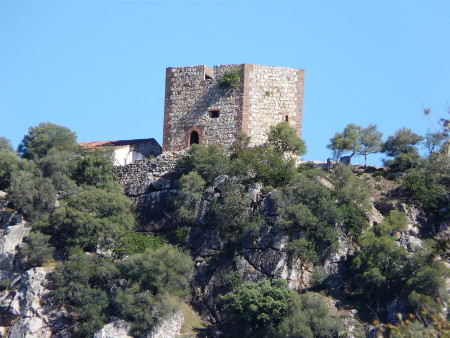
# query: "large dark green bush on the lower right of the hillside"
{"type": "Point", "coordinates": [385, 271]}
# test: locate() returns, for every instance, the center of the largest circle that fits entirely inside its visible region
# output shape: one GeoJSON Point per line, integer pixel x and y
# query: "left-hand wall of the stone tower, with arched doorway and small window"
{"type": "Point", "coordinates": [192, 96]}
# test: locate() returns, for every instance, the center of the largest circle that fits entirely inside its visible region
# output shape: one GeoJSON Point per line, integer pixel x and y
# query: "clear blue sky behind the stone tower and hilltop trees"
{"type": "Point", "coordinates": [98, 67]}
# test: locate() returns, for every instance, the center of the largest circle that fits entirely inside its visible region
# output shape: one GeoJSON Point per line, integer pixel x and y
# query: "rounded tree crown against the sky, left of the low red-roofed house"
{"type": "Point", "coordinates": [45, 136]}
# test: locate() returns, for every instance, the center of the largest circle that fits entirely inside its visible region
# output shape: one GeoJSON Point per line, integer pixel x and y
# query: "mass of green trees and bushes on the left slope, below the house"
{"type": "Point", "coordinates": [79, 213]}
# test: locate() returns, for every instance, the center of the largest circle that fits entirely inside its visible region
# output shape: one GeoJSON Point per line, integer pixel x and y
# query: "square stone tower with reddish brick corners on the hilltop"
{"type": "Point", "coordinates": [200, 108]}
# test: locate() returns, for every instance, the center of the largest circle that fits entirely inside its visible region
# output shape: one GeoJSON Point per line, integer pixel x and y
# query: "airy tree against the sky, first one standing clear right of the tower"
{"type": "Point", "coordinates": [357, 140]}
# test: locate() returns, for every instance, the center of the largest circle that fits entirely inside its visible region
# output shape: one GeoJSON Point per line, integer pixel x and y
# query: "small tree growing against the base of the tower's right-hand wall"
{"type": "Point", "coordinates": [284, 138]}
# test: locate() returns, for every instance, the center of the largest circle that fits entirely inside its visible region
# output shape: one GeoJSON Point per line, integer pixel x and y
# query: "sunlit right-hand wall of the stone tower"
{"type": "Point", "coordinates": [272, 95]}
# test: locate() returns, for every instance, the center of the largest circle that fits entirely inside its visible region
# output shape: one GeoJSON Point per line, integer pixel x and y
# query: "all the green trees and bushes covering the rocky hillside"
{"type": "Point", "coordinates": [82, 220]}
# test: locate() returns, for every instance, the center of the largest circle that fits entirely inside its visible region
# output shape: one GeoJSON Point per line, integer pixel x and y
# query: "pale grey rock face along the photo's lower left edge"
{"type": "Point", "coordinates": [22, 309]}
